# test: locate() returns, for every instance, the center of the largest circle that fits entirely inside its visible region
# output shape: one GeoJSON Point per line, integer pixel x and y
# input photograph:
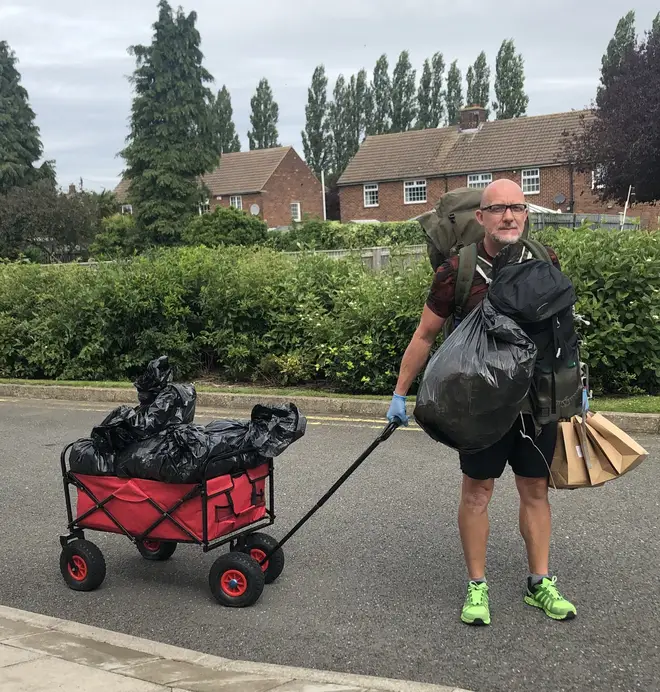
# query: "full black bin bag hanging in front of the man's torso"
{"type": "Point", "coordinates": [476, 383]}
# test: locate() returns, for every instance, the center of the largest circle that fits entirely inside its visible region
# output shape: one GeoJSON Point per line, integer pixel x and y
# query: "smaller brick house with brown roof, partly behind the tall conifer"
{"type": "Point", "coordinates": [274, 184]}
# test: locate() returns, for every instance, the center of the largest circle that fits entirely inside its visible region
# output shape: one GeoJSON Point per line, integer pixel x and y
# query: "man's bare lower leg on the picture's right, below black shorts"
{"type": "Point", "coordinates": [535, 522]}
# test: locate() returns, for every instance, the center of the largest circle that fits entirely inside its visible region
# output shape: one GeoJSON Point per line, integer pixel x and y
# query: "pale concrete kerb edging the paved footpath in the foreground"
{"type": "Point", "coordinates": [167, 652]}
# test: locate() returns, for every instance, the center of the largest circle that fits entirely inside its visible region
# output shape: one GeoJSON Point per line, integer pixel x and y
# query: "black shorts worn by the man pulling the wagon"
{"type": "Point", "coordinates": [528, 457]}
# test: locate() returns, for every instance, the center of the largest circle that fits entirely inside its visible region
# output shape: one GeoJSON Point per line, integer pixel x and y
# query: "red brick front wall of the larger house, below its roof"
{"type": "Point", "coordinates": [554, 180]}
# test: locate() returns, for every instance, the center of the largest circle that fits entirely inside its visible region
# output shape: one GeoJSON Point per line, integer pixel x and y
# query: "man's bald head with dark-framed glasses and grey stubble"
{"type": "Point", "coordinates": [503, 212]}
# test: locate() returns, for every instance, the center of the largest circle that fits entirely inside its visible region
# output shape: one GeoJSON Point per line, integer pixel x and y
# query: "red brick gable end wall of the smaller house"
{"type": "Point", "coordinates": [293, 181]}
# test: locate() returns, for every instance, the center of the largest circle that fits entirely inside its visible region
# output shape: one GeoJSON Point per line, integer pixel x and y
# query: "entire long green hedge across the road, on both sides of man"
{"type": "Point", "coordinates": [256, 314]}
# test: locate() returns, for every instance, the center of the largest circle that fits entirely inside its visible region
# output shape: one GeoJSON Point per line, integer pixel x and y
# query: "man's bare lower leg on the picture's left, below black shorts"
{"type": "Point", "coordinates": [473, 524]}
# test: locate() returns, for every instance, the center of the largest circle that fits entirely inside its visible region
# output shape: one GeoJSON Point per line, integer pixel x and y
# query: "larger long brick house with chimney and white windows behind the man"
{"type": "Point", "coordinates": [399, 176]}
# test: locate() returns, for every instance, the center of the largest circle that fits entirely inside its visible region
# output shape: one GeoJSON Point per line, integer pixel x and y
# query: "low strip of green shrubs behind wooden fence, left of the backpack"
{"type": "Point", "coordinates": [332, 235]}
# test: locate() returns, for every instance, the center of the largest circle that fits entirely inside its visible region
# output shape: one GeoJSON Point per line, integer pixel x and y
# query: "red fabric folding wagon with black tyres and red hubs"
{"type": "Point", "coordinates": [156, 516]}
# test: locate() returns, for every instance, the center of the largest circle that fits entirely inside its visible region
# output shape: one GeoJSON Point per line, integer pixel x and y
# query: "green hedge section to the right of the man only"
{"type": "Point", "coordinates": [616, 275]}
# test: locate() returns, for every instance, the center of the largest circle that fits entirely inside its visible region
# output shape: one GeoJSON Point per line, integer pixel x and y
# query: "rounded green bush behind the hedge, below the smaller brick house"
{"type": "Point", "coordinates": [225, 226]}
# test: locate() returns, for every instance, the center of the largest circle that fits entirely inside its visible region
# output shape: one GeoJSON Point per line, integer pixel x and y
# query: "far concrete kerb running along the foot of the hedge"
{"type": "Point", "coordinates": [631, 423]}
